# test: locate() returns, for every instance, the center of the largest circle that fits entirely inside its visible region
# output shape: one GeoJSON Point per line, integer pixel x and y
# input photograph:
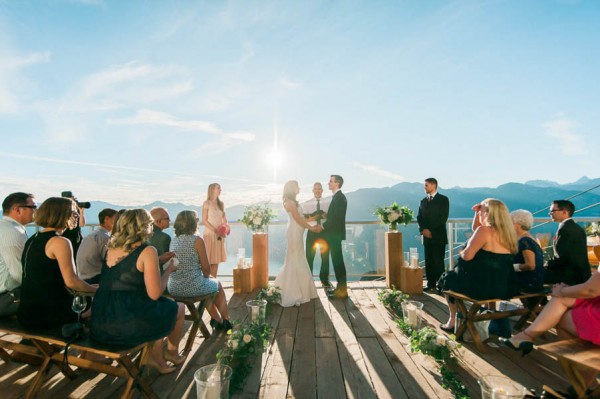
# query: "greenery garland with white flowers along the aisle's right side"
{"type": "Point", "coordinates": [427, 341]}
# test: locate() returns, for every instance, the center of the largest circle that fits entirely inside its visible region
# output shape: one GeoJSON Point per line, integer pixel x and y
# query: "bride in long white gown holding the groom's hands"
{"type": "Point", "coordinates": [295, 279]}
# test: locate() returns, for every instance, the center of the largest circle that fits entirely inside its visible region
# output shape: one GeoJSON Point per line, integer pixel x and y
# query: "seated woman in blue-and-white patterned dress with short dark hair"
{"type": "Point", "coordinates": [193, 278]}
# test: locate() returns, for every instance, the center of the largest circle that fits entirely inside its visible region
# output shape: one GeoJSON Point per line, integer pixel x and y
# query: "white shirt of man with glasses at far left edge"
{"type": "Point", "coordinates": [12, 242]}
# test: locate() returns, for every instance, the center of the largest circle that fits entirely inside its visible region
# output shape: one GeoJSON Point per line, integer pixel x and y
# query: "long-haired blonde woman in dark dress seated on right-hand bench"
{"type": "Point", "coordinates": [485, 267]}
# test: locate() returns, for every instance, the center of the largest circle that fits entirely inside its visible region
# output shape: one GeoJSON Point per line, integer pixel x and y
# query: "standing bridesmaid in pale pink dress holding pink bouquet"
{"type": "Point", "coordinates": [213, 217]}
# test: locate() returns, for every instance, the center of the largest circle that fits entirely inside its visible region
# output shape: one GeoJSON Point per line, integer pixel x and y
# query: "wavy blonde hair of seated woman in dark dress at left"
{"type": "Point", "coordinates": [134, 225]}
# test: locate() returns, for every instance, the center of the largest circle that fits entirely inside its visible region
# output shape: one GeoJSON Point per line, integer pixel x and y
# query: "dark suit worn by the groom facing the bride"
{"type": "Point", "coordinates": [335, 232]}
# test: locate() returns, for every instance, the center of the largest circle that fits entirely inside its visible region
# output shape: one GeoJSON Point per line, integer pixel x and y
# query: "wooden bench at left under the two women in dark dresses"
{"type": "Point", "coordinates": [49, 345]}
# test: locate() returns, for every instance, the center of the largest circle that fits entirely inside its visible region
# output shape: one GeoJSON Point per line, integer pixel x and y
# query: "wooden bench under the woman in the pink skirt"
{"type": "Point", "coordinates": [576, 355]}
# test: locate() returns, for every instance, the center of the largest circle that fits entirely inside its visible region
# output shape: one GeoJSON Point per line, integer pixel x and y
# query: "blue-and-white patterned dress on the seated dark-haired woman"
{"type": "Point", "coordinates": [188, 280]}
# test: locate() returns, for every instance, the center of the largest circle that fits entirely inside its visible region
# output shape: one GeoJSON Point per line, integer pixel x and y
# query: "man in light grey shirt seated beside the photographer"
{"type": "Point", "coordinates": [93, 248]}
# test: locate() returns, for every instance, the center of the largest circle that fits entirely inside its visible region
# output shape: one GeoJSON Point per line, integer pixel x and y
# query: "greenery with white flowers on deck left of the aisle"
{"type": "Point", "coordinates": [246, 340]}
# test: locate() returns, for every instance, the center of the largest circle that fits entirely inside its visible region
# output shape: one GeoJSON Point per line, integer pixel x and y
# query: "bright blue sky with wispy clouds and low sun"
{"type": "Point", "coordinates": [132, 102]}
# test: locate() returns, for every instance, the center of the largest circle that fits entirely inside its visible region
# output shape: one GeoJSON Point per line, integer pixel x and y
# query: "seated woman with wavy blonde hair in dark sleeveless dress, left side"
{"type": "Point", "coordinates": [129, 308]}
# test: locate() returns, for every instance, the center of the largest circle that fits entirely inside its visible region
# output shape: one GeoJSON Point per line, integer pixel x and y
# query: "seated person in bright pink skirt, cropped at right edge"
{"type": "Point", "coordinates": [574, 310]}
